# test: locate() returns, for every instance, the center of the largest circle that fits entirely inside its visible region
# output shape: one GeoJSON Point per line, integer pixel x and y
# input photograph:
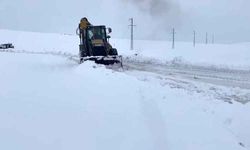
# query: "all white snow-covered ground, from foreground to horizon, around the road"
{"type": "Point", "coordinates": [51, 102]}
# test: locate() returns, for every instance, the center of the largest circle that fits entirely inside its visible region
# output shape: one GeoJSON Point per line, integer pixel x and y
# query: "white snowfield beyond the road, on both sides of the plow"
{"type": "Point", "coordinates": [229, 56]}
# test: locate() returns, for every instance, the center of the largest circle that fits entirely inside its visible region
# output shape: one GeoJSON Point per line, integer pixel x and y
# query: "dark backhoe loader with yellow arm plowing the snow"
{"type": "Point", "coordinates": [95, 46]}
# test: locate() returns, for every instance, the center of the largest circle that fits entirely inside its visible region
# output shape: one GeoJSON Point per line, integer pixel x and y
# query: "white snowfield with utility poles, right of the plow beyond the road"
{"type": "Point", "coordinates": [227, 56]}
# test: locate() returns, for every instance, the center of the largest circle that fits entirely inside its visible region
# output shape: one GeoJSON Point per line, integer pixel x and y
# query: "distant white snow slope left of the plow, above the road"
{"type": "Point", "coordinates": [40, 42]}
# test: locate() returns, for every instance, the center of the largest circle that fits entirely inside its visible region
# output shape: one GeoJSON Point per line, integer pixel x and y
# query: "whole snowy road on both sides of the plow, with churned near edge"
{"type": "Point", "coordinates": [224, 84]}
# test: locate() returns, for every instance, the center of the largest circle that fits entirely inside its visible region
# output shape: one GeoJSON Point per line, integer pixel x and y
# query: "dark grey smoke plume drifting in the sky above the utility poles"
{"type": "Point", "coordinates": [162, 15]}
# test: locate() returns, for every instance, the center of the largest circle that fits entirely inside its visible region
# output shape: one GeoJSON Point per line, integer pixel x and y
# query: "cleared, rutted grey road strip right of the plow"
{"type": "Point", "coordinates": [231, 78]}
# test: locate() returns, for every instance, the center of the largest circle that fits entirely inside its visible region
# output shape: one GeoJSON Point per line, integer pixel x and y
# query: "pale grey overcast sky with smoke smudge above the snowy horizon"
{"type": "Point", "coordinates": [228, 20]}
